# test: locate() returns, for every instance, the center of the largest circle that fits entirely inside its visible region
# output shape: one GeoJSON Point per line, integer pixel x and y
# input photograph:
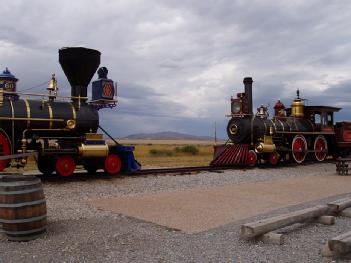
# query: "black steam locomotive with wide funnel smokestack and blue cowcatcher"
{"type": "Point", "coordinates": [62, 131]}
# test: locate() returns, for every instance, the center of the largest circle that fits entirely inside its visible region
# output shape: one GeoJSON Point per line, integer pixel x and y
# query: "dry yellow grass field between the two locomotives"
{"type": "Point", "coordinates": [171, 153]}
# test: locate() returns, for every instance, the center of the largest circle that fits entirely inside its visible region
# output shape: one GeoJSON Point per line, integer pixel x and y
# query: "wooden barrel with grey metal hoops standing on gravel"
{"type": "Point", "coordinates": [22, 206]}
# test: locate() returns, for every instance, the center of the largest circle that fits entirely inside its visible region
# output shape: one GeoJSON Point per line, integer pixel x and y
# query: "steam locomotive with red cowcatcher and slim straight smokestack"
{"type": "Point", "coordinates": [295, 134]}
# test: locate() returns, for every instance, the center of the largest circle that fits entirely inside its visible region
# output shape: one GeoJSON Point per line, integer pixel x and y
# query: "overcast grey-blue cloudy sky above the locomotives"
{"type": "Point", "coordinates": [178, 62]}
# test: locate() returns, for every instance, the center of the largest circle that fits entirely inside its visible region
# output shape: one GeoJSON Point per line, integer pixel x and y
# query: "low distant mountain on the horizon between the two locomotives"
{"type": "Point", "coordinates": [167, 135]}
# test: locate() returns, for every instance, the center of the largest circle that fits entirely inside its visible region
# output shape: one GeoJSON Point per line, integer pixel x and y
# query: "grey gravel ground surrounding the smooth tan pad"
{"type": "Point", "coordinates": [78, 232]}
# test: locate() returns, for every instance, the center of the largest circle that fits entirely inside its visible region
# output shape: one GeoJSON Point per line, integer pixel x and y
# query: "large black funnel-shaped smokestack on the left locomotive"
{"type": "Point", "coordinates": [79, 65]}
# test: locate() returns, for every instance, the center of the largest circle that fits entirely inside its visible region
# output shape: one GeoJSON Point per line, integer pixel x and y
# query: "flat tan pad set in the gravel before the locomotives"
{"type": "Point", "coordinates": [200, 209]}
